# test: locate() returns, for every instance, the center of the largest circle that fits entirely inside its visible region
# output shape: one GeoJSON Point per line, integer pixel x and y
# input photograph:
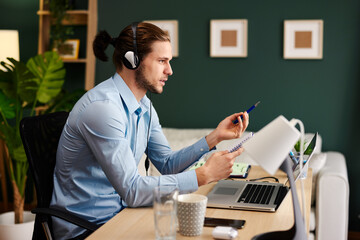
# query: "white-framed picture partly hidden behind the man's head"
{"type": "Point", "coordinates": [171, 27]}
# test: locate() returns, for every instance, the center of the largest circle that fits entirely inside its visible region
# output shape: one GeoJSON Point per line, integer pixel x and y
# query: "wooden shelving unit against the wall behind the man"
{"type": "Point", "coordinates": [76, 18]}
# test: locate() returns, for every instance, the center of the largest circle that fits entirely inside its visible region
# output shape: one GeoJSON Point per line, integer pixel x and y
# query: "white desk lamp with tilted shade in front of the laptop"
{"type": "Point", "coordinates": [269, 147]}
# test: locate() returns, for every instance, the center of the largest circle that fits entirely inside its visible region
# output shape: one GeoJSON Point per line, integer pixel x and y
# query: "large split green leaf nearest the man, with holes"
{"type": "Point", "coordinates": [50, 73]}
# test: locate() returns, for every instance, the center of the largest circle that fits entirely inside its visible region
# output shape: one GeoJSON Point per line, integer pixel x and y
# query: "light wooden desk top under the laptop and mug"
{"type": "Point", "coordinates": [138, 223]}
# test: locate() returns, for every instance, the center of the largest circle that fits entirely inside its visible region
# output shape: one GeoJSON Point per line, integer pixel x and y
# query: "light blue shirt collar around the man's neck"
{"type": "Point", "coordinates": [128, 96]}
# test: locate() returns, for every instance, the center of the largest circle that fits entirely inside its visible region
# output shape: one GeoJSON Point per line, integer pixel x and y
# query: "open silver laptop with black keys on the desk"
{"type": "Point", "coordinates": [256, 195]}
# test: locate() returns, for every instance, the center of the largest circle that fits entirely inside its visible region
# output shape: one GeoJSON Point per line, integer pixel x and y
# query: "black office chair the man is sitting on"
{"type": "Point", "coordinates": [40, 136]}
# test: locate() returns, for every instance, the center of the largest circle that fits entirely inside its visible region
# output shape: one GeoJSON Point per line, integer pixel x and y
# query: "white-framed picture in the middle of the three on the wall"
{"type": "Point", "coordinates": [228, 38]}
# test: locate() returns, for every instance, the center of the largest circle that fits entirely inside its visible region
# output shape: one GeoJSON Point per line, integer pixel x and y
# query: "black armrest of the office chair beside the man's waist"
{"type": "Point", "coordinates": [69, 217]}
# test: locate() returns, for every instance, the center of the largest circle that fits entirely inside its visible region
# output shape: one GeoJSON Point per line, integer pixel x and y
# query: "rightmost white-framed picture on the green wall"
{"type": "Point", "coordinates": [303, 39]}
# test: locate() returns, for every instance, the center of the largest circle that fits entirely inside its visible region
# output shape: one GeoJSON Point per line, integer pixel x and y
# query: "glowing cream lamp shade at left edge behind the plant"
{"type": "Point", "coordinates": [9, 45]}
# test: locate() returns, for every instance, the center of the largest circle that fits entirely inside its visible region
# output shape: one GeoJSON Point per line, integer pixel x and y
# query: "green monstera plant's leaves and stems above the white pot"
{"type": "Point", "coordinates": [23, 88]}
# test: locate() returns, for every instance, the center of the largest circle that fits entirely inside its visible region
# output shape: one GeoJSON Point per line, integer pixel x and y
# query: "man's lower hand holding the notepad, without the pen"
{"type": "Point", "coordinates": [217, 167]}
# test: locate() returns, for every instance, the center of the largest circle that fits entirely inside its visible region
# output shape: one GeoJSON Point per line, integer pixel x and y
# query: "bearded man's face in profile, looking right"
{"type": "Point", "coordinates": [155, 68]}
